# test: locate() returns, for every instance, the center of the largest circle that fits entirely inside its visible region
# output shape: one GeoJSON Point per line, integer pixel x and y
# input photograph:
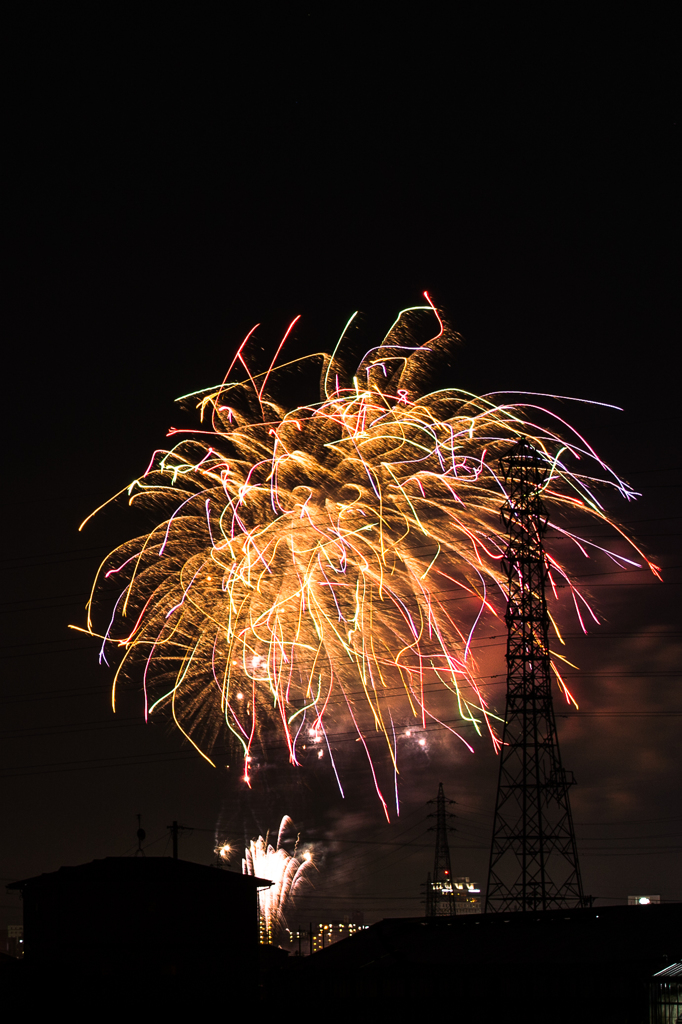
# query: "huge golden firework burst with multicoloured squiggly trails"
{"type": "Point", "coordinates": [326, 566]}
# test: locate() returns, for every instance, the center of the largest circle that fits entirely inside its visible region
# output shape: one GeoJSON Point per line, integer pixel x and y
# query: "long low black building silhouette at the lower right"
{"type": "Point", "coordinates": [562, 966]}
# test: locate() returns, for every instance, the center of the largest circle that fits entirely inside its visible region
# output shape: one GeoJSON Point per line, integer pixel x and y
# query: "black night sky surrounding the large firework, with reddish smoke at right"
{"type": "Point", "coordinates": [177, 181]}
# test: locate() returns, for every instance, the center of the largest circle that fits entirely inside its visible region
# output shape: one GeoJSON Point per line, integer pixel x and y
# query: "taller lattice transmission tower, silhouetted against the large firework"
{"type": "Point", "coordinates": [534, 858]}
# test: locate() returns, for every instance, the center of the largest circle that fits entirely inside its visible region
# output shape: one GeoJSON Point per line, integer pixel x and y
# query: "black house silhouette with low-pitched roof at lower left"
{"type": "Point", "coordinates": [140, 910]}
